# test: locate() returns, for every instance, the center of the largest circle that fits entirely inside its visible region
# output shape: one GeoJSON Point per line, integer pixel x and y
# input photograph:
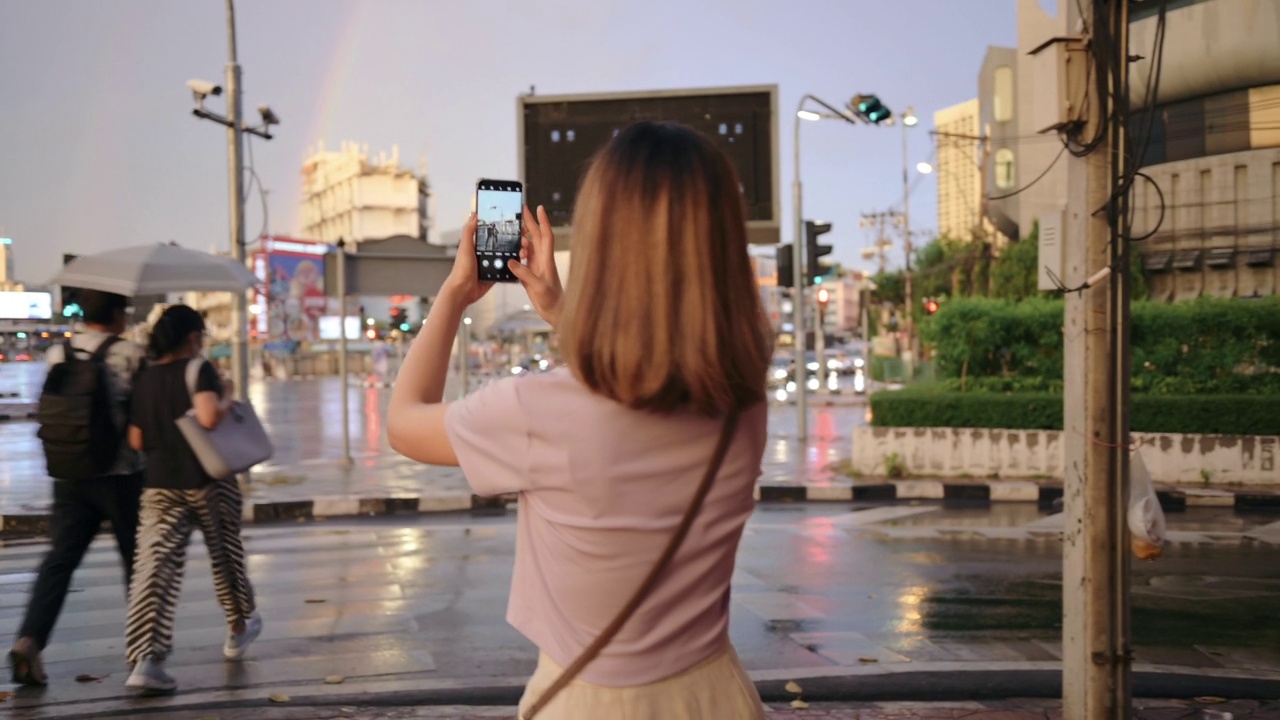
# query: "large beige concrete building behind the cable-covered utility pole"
{"type": "Point", "coordinates": [1212, 206]}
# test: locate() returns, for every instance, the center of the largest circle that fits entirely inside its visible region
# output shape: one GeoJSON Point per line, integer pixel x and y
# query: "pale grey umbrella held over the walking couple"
{"type": "Point", "coordinates": [156, 270]}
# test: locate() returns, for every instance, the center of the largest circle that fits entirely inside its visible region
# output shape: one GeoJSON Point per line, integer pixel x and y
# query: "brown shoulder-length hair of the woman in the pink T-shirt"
{"type": "Point", "coordinates": [662, 311]}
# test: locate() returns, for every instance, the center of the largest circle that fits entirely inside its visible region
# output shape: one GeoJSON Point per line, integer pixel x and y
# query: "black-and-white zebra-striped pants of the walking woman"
{"type": "Point", "coordinates": [166, 523]}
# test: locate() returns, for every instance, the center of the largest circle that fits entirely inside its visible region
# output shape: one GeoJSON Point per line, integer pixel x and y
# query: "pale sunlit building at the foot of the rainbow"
{"type": "Point", "coordinates": [346, 195]}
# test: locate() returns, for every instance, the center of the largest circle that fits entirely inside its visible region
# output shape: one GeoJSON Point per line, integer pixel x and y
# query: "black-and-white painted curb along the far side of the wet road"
{"type": "Point", "coordinates": [935, 491]}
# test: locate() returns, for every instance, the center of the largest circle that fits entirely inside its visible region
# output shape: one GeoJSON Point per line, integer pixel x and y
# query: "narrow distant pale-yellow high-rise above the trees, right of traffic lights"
{"type": "Point", "coordinates": [959, 174]}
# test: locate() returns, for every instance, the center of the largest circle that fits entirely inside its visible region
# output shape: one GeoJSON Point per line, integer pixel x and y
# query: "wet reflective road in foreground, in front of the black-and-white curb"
{"type": "Point", "coordinates": [420, 601]}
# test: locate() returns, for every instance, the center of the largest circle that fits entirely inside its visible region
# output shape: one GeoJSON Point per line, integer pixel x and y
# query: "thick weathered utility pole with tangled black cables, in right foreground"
{"type": "Point", "coordinates": [1096, 651]}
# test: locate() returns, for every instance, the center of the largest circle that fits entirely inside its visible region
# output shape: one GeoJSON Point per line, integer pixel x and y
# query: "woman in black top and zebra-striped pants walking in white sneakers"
{"type": "Point", "coordinates": [180, 495]}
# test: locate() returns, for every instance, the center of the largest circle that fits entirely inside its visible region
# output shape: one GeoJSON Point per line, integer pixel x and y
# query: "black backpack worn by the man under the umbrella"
{"type": "Point", "coordinates": [77, 426]}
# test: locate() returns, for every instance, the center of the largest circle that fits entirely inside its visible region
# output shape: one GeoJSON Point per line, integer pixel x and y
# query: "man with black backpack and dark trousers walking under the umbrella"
{"type": "Point", "coordinates": [83, 414]}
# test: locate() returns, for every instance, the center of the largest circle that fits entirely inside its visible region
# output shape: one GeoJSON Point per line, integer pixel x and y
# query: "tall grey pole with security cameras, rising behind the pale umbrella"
{"type": "Point", "coordinates": [236, 129]}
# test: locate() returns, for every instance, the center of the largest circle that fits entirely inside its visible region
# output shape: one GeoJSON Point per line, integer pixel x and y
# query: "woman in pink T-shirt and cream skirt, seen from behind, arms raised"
{"type": "Point", "coordinates": [637, 463]}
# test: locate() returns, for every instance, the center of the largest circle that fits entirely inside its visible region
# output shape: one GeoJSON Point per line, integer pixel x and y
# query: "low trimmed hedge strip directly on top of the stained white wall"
{"type": "Point", "coordinates": [1214, 414]}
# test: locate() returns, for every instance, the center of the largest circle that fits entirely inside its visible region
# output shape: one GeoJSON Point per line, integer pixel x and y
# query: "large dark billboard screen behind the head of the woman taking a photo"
{"type": "Point", "coordinates": [560, 134]}
